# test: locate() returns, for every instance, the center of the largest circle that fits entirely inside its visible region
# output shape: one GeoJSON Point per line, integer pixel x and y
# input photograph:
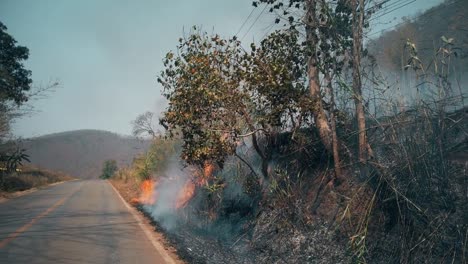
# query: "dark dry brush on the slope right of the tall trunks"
{"type": "Point", "coordinates": [418, 172]}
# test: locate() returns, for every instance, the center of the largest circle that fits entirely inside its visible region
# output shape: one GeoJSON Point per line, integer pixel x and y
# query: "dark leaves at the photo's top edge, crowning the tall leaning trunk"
{"type": "Point", "coordinates": [332, 23]}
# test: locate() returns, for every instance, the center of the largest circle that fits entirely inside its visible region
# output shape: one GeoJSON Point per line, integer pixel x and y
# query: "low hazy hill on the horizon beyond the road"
{"type": "Point", "coordinates": [81, 153]}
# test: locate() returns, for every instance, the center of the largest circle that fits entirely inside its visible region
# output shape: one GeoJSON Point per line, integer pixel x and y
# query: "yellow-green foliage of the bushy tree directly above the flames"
{"type": "Point", "coordinates": [205, 101]}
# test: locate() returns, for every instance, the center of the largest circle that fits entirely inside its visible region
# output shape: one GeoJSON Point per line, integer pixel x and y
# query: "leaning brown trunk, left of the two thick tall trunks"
{"type": "Point", "coordinates": [314, 83]}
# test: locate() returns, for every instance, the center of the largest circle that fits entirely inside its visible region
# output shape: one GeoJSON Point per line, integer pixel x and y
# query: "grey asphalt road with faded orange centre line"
{"type": "Point", "coordinates": [81, 221]}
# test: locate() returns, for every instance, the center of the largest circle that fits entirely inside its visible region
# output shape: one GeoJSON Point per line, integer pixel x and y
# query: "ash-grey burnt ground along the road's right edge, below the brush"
{"type": "Point", "coordinates": [265, 238]}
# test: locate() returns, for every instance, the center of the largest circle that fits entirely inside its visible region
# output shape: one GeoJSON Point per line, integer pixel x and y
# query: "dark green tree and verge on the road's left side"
{"type": "Point", "coordinates": [16, 90]}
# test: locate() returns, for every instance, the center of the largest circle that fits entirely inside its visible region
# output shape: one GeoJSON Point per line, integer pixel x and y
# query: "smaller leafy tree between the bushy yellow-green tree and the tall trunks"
{"type": "Point", "coordinates": [276, 82]}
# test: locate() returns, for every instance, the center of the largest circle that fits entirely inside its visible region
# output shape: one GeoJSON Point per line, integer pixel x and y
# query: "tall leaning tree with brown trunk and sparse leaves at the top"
{"type": "Point", "coordinates": [326, 27]}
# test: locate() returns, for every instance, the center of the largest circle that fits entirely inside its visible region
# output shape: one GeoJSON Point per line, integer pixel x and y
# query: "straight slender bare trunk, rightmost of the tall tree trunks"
{"type": "Point", "coordinates": [358, 20]}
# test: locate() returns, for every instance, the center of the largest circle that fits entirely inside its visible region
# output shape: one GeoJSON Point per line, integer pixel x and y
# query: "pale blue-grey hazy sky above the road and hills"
{"type": "Point", "coordinates": [106, 54]}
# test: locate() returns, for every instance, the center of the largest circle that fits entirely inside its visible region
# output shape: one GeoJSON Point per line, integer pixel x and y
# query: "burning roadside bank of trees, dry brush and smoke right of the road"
{"type": "Point", "coordinates": [305, 149]}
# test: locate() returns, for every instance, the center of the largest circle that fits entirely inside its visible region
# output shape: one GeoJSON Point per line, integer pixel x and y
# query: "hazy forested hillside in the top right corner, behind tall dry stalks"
{"type": "Point", "coordinates": [425, 30]}
